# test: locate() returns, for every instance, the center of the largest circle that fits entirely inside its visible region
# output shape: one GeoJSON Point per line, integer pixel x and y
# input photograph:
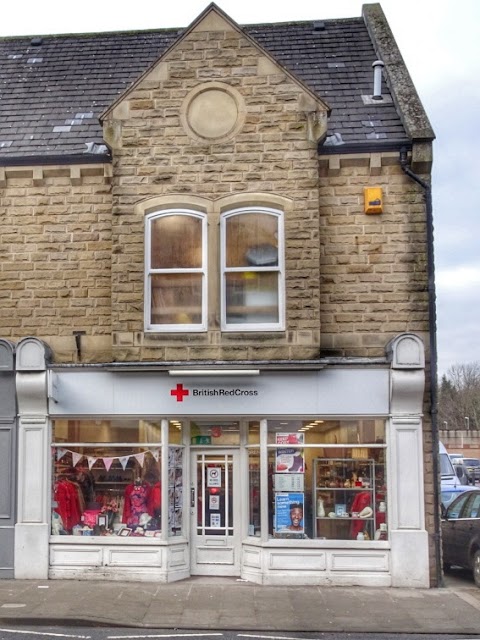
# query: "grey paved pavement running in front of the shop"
{"type": "Point", "coordinates": [236, 605]}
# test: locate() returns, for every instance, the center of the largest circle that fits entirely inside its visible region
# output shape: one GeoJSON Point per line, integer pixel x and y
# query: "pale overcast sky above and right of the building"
{"type": "Point", "coordinates": [440, 42]}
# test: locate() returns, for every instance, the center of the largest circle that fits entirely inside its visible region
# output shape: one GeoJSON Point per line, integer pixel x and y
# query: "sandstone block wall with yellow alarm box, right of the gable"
{"type": "Point", "coordinates": [374, 279]}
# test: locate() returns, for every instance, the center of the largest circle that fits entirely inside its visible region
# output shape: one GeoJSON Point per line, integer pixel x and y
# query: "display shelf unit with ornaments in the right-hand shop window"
{"type": "Point", "coordinates": [352, 487]}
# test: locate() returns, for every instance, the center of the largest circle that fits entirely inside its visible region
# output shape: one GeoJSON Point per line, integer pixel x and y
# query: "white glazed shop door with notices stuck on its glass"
{"type": "Point", "coordinates": [214, 513]}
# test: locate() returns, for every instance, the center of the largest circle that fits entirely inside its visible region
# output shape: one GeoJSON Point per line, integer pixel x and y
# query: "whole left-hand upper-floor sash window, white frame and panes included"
{"type": "Point", "coordinates": [176, 271]}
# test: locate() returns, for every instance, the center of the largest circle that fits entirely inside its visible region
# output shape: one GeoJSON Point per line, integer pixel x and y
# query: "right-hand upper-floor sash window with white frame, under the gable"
{"type": "Point", "coordinates": [252, 270]}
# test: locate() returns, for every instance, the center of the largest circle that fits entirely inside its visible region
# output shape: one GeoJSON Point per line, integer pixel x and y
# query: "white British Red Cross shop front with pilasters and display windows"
{"type": "Point", "coordinates": [300, 475]}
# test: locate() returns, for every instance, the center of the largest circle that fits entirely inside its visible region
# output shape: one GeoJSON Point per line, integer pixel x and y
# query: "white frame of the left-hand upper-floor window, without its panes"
{"type": "Point", "coordinates": [149, 272]}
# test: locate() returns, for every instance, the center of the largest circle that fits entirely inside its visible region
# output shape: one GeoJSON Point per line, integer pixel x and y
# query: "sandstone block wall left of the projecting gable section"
{"type": "Point", "coordinates": [55, 257]}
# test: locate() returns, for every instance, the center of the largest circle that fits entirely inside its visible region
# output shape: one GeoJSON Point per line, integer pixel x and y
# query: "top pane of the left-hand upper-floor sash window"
{"type": "Point", "coordinates": [176, 242]}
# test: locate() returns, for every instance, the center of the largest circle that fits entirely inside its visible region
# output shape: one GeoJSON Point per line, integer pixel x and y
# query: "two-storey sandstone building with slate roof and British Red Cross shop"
{"type": "Point", "coordinates": [217, 305]}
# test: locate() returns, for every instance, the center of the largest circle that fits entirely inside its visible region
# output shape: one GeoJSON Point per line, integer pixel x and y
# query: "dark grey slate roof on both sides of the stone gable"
{"type": "Point", "coordinates": [54, 88]}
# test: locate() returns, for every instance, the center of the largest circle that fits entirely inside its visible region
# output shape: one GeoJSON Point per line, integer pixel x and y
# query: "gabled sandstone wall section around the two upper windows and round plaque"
{"type": "Point", "coordinates": [155, 156]}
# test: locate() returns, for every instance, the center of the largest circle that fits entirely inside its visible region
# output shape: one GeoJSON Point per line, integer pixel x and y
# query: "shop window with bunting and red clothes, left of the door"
{"type": "Point", "coordinates": [106, 478]}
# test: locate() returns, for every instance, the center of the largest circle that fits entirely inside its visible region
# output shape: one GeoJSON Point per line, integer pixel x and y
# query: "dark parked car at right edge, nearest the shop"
{"type": "Point", "coordinates": [461, 533]}
